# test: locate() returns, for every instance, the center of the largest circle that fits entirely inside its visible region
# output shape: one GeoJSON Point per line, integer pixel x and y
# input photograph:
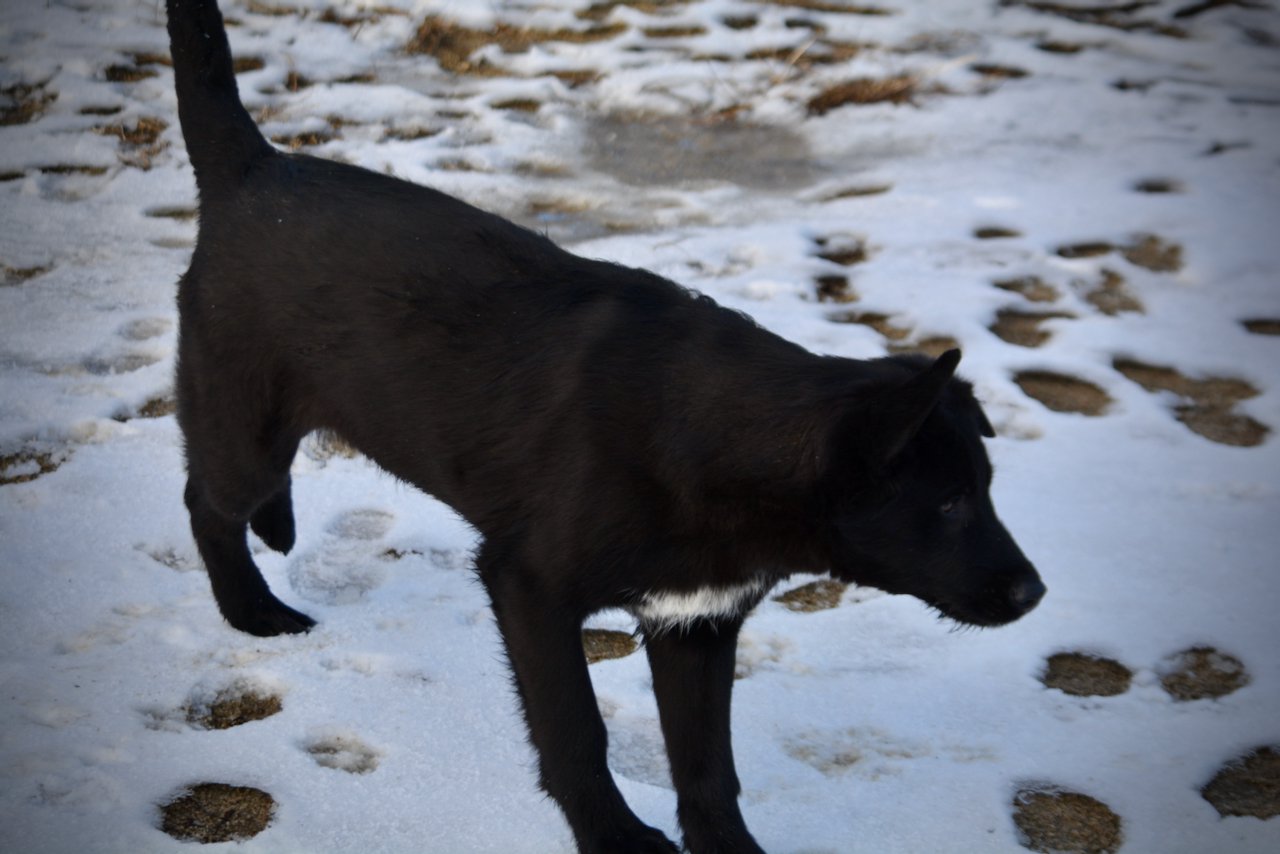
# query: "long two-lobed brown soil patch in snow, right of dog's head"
{"type": "Point", "coordinates": [1209, 408]}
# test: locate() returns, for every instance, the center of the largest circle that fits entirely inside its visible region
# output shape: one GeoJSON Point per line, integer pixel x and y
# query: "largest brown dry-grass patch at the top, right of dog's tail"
{"type": "Point", "coordinates": [452, 44]}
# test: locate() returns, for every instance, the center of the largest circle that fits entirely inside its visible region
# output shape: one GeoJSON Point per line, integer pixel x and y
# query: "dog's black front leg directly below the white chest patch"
{"type": "Point", "coordinates": [693, 679]}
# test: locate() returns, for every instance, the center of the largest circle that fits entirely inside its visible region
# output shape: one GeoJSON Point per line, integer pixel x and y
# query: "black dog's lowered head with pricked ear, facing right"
{"type": "Point", "coordinates": [912, 509]}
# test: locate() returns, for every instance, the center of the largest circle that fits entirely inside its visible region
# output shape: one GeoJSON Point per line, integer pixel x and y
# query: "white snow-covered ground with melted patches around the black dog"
{"type": "Point", "coordinates": [865, 728]}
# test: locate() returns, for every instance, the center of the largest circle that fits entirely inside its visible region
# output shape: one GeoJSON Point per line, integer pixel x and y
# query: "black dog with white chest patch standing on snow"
{"type": "Point", "coordinates": [616, 441]}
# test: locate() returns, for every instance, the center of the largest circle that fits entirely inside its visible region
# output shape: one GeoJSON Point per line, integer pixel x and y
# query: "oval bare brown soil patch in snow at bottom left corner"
{"type": "Point", "coordinates": [216, 812]}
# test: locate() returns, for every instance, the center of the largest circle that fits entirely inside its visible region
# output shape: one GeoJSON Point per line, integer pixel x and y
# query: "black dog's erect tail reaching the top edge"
{"type": "Point", "coordinates": [222, 139]}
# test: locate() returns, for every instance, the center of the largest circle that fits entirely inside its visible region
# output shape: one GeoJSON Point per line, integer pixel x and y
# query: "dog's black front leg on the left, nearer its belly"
{"type": "Point", "coordinates": [545, 645]}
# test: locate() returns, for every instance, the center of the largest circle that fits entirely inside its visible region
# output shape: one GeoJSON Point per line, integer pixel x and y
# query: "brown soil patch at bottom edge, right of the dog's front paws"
{"type": "Point", "coordinates": [1066, 823]}
